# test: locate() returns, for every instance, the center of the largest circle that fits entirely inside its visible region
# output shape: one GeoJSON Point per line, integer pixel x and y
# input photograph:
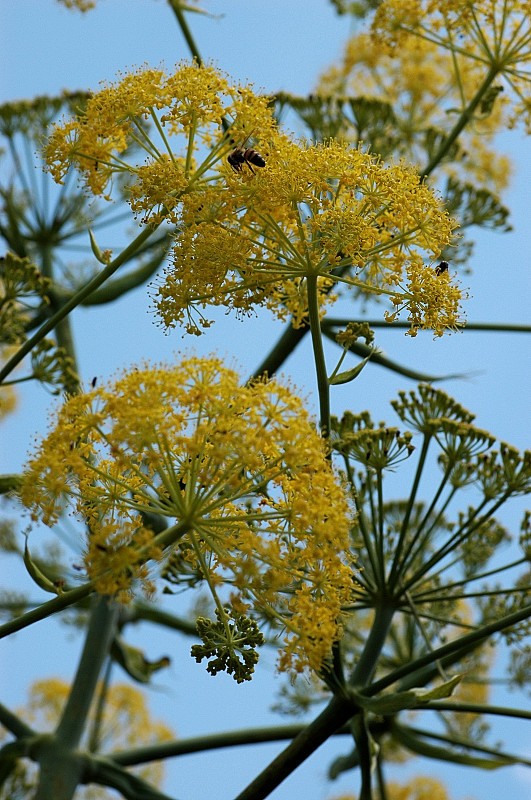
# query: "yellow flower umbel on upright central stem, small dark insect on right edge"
{"type": "Point", "coordinates": [325, 213]}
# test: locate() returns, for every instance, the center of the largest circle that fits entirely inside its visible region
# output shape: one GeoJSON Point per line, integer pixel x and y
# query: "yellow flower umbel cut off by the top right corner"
{"type": "Point", "coordinates": [493, 34]}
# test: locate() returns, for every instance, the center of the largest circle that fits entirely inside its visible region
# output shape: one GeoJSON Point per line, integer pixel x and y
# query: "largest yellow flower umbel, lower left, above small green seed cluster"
{"type": "Point", "coordinates": [239, 471]}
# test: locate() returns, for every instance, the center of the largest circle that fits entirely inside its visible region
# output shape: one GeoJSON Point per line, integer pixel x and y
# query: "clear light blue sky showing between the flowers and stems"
{"type": "Point", "coordinates": [276, 45]}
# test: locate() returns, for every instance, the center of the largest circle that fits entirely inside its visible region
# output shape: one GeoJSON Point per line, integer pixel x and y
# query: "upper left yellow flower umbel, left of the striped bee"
{"type": "Point", "coordinates": [176, 122]}
